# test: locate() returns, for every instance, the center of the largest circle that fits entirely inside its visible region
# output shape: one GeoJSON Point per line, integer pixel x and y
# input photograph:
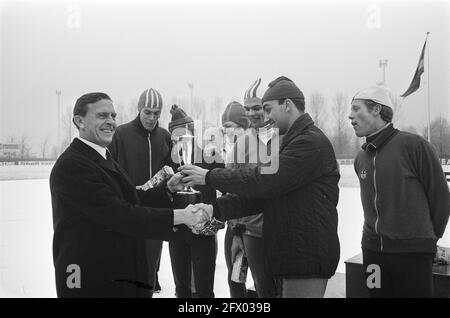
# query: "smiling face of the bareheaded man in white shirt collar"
{"type": "Point", "coordinates": [99, 124]}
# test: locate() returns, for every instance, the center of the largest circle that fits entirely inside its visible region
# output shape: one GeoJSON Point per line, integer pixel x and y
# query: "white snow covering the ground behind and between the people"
{"type": "Point", "coordinates": [26, 265]}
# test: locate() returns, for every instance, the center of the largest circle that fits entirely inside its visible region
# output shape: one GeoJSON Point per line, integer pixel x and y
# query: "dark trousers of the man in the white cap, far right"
{"type": "Point", "coordinates": [401, 275]}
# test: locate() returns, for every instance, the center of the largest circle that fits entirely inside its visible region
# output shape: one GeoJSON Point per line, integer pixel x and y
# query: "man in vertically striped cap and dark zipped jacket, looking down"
{"type": "Point", "coordinates": [142, 148]}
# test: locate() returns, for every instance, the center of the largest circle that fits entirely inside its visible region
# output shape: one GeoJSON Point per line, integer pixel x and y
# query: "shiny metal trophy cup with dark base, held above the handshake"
{"type": "Point", "coordinates": [189, 196]}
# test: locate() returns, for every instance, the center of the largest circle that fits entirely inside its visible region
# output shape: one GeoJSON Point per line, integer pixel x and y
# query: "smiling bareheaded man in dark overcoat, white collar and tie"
{"type": "Point", "coordinates": [99, 227]}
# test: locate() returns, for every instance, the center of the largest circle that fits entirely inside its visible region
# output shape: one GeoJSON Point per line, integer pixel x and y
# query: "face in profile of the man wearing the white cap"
{"type": "Point", "coordinates": [365, 121]}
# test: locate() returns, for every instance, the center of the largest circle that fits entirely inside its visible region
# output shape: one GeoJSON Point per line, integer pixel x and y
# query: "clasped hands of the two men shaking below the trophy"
{"type": "Point", "coordinates": [199, 218]}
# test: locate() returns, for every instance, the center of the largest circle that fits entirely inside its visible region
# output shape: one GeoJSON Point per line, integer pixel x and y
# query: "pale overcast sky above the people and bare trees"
{"type": "Point", "coordinates": [125, 47]}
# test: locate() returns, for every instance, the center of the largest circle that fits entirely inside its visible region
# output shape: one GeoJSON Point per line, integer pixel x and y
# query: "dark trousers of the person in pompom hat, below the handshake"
{"type": "Point", "coordinates": [193, 253]}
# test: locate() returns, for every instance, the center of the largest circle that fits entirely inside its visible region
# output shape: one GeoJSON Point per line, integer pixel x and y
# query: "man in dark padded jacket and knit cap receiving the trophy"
{"type": "Point", "coordinates": [298, 200]}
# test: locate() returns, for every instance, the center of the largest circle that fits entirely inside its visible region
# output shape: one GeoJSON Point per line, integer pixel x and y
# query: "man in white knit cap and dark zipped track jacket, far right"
{"type": "Point", "coordinates": [405, 199]}
